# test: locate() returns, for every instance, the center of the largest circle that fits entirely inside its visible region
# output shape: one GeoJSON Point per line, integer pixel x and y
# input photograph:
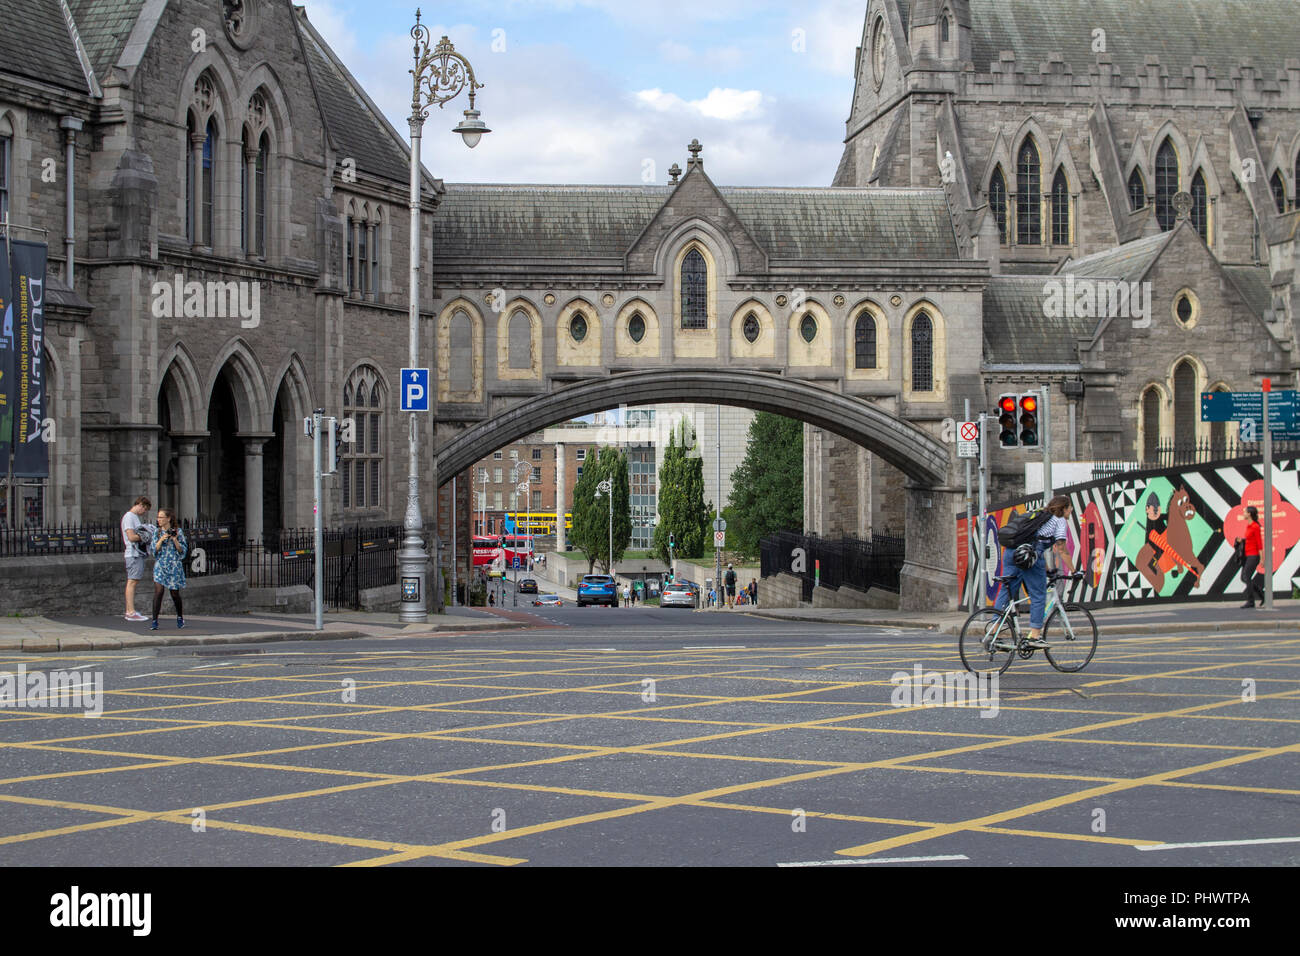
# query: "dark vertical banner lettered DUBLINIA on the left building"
{"type": "Point", "coordinates": [31, 458]}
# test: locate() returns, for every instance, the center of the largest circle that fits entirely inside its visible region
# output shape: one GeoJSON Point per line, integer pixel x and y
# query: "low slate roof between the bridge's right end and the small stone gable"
{"type": "Point", "coordinates": [1019, 334]}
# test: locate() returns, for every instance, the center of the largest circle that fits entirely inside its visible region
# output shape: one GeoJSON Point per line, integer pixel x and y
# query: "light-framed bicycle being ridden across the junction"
{"type": "Point", "coordinates": [985, 648]}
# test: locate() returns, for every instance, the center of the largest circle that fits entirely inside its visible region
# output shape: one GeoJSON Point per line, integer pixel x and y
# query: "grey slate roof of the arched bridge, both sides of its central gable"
{"type": "Point", "coordinates": [574, 223]}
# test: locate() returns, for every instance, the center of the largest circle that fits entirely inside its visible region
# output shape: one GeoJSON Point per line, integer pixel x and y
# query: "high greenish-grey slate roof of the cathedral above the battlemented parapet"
{"type": "Point", "coordinates": [1223, 32]}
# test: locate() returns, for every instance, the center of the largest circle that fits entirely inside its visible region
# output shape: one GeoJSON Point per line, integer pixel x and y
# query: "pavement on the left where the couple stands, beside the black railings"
{"type": "Point", "coordinates": [111, 633]}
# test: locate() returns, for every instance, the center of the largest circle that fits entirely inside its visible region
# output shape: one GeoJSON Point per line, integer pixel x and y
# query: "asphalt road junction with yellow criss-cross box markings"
{"type": "Point", "coordinates": [656, 737]}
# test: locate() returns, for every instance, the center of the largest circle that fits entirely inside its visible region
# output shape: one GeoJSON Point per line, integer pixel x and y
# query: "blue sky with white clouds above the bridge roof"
{"type": "Point", "coordinates": [612, 92]}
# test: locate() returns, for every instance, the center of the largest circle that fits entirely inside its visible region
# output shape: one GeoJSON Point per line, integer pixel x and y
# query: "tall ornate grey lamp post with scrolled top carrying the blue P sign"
{"type": "Point", "coordinates": [440, 75]}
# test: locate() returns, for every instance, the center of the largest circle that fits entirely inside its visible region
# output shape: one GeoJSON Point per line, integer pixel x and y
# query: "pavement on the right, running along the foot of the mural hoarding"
{"type": "Point", "coordinates": [1195, 617]}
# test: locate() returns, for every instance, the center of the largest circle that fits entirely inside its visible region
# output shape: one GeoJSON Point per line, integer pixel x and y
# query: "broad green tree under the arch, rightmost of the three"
{"type": "Point", "coordinates": [768, 488]}
